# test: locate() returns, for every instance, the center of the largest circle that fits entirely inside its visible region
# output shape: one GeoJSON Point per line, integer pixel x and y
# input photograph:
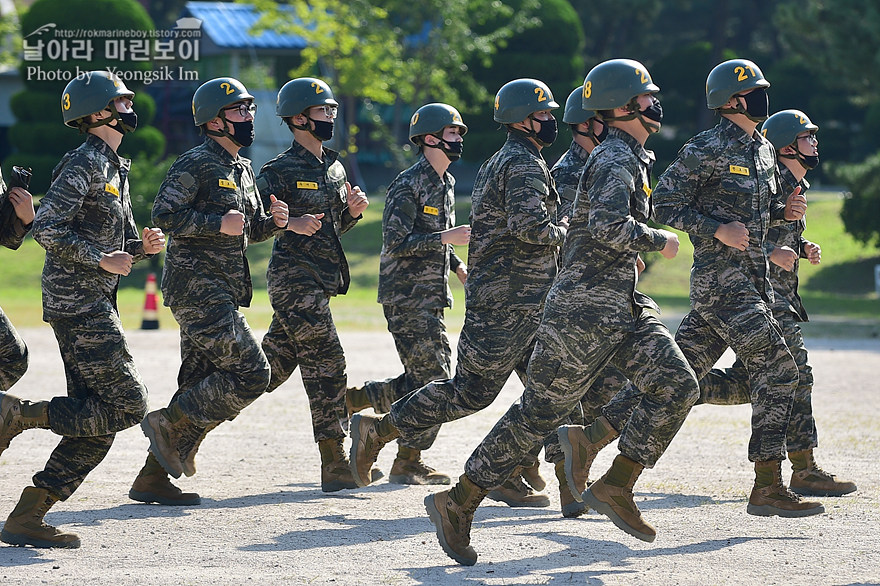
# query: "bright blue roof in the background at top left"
{"type": "Point", "coordinates": [228, 24]}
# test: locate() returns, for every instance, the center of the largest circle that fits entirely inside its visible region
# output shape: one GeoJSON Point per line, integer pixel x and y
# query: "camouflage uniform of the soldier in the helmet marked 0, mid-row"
{"type": "Point", "coordinates": [414, 279]}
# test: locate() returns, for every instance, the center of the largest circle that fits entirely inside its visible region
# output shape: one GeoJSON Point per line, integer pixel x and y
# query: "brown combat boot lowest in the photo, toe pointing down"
{"type": "Point", "coordinates": [452, 513]}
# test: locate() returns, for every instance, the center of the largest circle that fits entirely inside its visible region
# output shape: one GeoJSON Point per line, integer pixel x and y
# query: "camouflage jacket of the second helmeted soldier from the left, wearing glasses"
{"type": "Point", "coordinates": [202, 265]}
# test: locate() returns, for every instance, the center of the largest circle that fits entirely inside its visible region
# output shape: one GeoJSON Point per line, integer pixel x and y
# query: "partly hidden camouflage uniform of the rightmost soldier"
{"type": "Point", "coordinates": [731, 386]}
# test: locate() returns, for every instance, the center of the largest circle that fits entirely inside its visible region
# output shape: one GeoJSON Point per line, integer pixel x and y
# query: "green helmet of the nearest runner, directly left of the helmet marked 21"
{"type": "Point", "coordinates": [614, 83]}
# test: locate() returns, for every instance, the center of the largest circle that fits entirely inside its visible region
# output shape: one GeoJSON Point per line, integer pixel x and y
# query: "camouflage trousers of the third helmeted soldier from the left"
{"type": "Point", "coordinates": [304, 335]}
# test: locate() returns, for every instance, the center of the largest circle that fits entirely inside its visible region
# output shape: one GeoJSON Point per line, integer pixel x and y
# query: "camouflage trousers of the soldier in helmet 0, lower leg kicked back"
{"type": "Point", "coordinates": [424, 349]}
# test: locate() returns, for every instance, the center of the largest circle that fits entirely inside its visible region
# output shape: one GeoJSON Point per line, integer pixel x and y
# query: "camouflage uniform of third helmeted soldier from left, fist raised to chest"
{"type": "Point", "coordinates": [304, 272]}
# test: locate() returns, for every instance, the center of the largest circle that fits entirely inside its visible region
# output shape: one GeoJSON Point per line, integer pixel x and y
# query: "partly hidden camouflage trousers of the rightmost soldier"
{"type": "Point", "coordinates": [730, 386]}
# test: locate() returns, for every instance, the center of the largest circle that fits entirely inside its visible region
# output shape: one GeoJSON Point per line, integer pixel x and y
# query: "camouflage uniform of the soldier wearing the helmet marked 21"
{"type": "Point", "coordinates": [723, 175]}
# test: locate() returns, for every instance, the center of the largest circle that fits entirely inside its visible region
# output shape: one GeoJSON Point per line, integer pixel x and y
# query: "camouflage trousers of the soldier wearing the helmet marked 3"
{"type": "Point", "coordinates": [105, 394]}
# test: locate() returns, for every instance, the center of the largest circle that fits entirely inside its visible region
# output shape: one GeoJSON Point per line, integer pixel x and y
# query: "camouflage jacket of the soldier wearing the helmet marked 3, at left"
{"type": "Point", "coordinates": [85, 214]}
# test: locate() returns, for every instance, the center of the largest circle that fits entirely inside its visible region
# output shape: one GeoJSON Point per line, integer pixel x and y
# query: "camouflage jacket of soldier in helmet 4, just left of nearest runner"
{"type": "Point", "coordinates": [512, 257]}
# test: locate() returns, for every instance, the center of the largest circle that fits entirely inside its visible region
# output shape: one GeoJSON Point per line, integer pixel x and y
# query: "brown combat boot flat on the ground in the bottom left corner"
{"type": "Point", "coordinates": [25, 524]}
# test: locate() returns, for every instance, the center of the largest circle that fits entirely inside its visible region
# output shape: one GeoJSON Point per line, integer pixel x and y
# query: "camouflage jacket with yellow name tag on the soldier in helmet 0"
{"type": "Point", "coordinates": [414, 265]}
